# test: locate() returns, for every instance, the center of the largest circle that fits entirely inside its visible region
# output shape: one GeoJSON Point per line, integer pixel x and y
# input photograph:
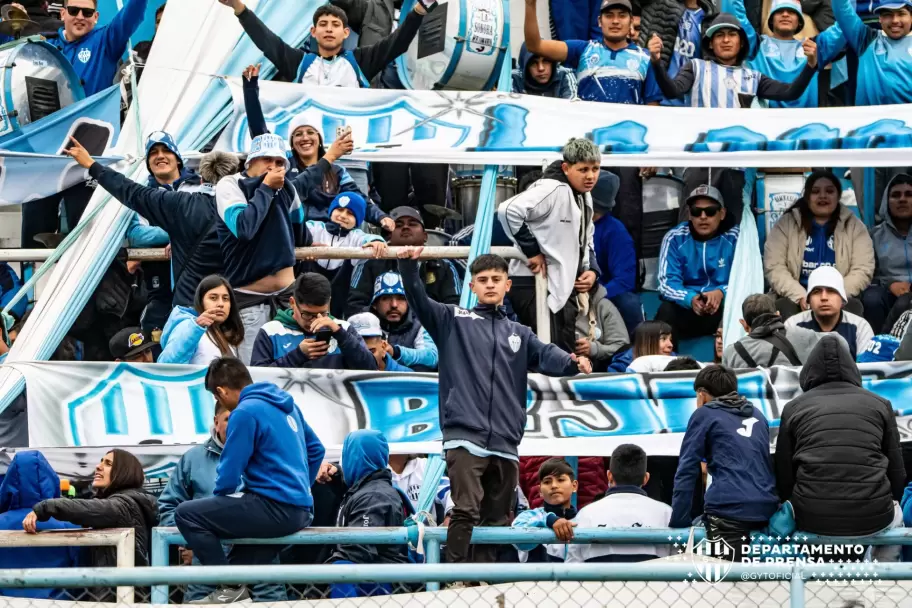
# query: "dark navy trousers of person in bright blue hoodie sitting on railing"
{"type": "Point", "coordinates": [205, 523]}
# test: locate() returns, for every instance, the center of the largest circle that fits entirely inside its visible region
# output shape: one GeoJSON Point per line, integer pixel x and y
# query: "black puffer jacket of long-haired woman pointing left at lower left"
{"type": "Point", "coordinates": [132, 508]}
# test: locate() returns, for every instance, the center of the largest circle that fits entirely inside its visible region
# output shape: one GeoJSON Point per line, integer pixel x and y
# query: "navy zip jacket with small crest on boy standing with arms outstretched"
{"type": "Point", "coordinates": [484, 364]}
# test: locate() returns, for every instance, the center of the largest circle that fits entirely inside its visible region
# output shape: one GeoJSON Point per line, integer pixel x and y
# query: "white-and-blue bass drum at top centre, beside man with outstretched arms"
{"type": "Point", "coordinates": [461, 46]}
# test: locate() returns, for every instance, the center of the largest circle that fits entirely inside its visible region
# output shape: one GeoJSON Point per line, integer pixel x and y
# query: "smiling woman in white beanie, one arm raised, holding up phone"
{"type": "Point", "coordinates": [315, 170]}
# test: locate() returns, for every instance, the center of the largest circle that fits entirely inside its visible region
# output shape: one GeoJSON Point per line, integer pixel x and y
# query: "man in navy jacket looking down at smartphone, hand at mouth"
{"type": "Point", "coordinates": [306, 335]}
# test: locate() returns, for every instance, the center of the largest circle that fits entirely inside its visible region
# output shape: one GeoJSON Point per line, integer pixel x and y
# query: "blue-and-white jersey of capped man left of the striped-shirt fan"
{"type": "Point", "coordinates": [623, 76]}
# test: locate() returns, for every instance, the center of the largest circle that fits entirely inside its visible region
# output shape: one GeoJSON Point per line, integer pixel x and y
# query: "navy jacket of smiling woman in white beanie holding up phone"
{"type": "Point", "coordinates": [307, 180]}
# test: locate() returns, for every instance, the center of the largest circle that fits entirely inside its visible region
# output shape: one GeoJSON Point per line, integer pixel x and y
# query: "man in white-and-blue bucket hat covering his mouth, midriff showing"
{"type": "Point", "coordinates": [261, 224]}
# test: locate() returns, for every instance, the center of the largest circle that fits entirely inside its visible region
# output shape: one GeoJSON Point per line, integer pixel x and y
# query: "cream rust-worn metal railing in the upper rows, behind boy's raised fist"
{"type": "Point", "coordinates": [542, 315]}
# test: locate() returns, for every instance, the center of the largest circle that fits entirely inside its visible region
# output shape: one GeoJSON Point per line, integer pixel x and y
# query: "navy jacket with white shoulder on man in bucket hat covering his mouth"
{"type": "Point", "coordinates": [260, 227]}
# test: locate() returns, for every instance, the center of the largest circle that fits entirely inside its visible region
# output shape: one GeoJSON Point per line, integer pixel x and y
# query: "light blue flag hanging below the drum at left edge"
{"type": "Point", "coordinates": [32, 164]}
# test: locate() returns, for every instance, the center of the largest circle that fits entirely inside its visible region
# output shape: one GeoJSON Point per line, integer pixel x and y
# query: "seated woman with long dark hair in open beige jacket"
{"type": "Point", "coordinates": [818, 230]}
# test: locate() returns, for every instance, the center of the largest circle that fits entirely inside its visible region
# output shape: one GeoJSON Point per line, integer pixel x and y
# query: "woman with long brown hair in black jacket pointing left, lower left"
{"type": "Point", "coordinates": [119, 502]}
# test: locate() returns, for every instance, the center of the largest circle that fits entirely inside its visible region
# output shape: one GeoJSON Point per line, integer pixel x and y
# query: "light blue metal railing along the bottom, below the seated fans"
{"type": "Point", "coordinates": [162, 538]}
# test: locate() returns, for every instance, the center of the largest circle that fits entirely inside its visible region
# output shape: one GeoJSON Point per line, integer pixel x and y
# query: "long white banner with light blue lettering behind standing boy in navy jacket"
{"type": "Point", "coordinates": [80, 405]}
